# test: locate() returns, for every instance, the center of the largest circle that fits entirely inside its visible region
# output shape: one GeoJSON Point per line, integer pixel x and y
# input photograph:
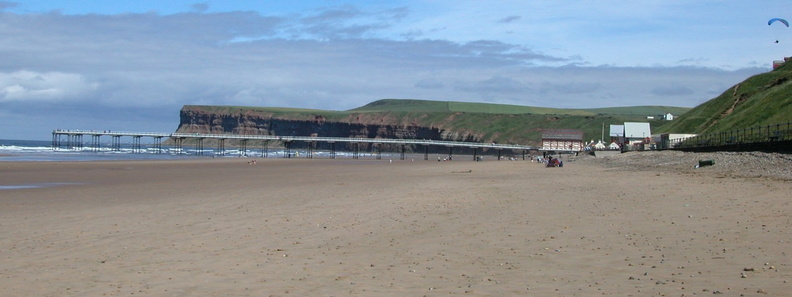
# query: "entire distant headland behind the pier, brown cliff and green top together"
{"type": "Point", "coordinates": [423, 119]}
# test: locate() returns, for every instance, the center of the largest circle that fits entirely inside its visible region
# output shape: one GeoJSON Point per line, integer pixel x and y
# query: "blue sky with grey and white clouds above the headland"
{"type": "Point", "coordinates": [131, 65]}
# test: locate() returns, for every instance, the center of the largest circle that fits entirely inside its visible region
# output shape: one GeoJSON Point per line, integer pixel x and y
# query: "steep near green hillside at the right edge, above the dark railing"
{"type": "Point", "coordinates": [763, 99]}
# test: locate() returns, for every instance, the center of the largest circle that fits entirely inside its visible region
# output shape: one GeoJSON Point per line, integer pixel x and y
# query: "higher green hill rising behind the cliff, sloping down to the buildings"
{"type": "Point", "coordinates": [514, 123]}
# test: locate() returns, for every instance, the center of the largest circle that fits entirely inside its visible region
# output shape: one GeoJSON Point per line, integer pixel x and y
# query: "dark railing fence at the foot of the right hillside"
{"type": "Point", "coordinates": [771, 138]}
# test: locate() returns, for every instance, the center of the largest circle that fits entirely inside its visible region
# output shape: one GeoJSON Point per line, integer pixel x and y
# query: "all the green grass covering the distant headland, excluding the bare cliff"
{"type": "Point", "coordinates": [488, 122]}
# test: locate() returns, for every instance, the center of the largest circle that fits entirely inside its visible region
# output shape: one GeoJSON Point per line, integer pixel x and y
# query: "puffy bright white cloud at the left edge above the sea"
{"type": "Point", "coordinates": [48, 86]}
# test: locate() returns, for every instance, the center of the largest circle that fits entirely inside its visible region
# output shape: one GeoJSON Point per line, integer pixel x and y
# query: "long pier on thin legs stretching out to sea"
{"type": "Point", "coordinates": [74, 139]}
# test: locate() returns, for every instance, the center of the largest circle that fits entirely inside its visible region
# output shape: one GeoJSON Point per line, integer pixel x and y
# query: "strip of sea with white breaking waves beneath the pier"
{"type": "Point", "coordinates": [43, 151]}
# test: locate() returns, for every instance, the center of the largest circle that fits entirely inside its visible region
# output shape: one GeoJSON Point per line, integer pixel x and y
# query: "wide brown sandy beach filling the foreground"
{"type": "Point", "coordinates": [221, 227]}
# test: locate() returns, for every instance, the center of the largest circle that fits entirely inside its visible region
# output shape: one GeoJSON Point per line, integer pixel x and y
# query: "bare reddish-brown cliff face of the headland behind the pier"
{"type": "Point", "coordinates": [259, 123]}
